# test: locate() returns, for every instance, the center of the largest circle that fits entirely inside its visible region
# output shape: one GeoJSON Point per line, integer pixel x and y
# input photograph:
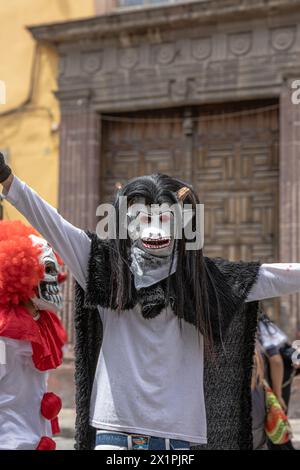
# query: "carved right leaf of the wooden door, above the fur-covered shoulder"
{"type": "Point", "coordinates": [236, 172]}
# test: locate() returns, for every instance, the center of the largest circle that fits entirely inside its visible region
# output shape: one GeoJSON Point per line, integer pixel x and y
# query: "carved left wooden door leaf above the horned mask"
{"type": "Point", "coordinates": [140, 144]}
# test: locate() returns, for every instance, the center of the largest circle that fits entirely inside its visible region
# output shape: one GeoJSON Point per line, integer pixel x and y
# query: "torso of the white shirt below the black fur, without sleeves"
{"type": "Point", "coordinates": [149, 377]}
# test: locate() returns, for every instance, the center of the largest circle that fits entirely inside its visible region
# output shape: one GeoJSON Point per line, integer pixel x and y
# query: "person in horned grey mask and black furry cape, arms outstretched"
{"type": "Point", "coordinates": [164, 335]}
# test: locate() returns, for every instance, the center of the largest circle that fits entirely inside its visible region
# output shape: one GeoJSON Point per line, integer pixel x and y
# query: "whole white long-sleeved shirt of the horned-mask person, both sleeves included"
{"type": "Point", "coordinates": [147, 379]}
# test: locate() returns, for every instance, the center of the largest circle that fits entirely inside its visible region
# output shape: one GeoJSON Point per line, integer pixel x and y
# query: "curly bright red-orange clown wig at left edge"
{"type": "Point", "coordinates": [20, 270]}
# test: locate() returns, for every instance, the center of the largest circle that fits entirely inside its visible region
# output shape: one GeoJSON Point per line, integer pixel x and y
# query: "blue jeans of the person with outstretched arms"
{"type": "Point", "coordinates": [111, 440]}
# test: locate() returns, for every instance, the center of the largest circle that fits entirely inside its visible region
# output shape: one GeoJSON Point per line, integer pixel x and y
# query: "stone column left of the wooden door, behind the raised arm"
{"type": "Point", "coordinates": [79, 174]}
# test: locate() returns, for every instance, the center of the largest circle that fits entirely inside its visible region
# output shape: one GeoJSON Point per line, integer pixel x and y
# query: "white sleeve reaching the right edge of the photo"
{"type": "Point", "coordinates": [274, 280]}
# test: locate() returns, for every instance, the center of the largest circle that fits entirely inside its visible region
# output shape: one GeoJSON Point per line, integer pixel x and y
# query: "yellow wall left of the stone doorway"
{"type": "Point", "coordinates": [28, 132]}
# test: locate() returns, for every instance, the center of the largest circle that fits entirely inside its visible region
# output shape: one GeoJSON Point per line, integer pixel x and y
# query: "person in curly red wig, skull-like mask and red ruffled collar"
{"type": "Point", "coordinates": [31, 338]}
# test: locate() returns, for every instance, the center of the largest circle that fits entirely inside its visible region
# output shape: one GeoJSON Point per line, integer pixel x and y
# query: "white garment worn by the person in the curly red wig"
{"type": "Point", "coordinates": [22, 387]}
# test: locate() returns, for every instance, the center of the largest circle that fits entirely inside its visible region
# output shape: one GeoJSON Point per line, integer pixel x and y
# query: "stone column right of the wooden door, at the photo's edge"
{"type": "Point", "coordinates": [289, 189]}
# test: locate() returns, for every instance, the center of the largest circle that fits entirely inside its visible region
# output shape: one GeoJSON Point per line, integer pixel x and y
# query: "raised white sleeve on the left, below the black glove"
{"type": "Point", "coordinates": [71, 243]}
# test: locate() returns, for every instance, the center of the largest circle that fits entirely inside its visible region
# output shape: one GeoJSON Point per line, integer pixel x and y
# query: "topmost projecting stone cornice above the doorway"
{"type": "Point", "coordinates": [194, 12]}
